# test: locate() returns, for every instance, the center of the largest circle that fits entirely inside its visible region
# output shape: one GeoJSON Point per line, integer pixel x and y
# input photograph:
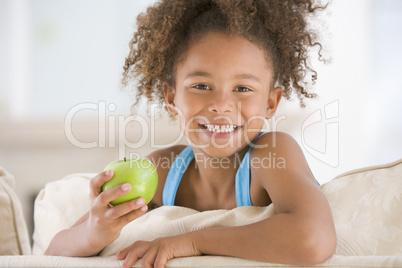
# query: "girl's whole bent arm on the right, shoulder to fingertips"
{"type": "Point", "coordinates": [302, 232]}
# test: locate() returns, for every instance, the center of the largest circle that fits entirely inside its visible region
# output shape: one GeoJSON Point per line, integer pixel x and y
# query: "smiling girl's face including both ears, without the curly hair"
{"type": "Point", "coordinates": [222, 93]}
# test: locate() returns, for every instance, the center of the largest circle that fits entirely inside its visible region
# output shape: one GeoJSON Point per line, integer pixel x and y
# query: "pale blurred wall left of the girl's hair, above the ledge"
{"type": "Point", "coordinates": [60, 53]}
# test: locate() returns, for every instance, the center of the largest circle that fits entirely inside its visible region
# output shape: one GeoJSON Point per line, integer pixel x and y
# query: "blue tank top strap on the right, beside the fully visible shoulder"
{"type": "Point", "coordinates": [243, 178]}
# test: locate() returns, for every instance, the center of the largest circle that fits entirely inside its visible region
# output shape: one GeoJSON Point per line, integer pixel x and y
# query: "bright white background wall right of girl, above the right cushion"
{"type": "Point", "coordinates": [360, 86]}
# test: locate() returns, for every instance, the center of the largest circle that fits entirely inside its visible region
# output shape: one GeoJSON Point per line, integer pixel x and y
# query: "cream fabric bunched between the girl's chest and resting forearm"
{"type": "Point", "coordinates": [169, 221]}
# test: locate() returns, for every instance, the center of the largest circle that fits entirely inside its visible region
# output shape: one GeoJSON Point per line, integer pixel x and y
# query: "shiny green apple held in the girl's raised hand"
{"type": "Point", "coordinates": [141, 174]}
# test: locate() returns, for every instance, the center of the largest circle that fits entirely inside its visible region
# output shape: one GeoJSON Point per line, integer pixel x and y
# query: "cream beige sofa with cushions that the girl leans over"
{"type": "Point", "coordinates": [366, 205]}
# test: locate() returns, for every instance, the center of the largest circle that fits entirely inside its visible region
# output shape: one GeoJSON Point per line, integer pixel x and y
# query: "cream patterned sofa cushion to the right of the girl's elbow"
{"type": "Point", "coordinates": [367, 209]}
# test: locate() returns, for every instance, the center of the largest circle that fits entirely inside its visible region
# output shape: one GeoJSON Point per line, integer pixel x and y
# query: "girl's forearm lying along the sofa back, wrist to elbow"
{"type": "Point", "coordinates": [282, 238]}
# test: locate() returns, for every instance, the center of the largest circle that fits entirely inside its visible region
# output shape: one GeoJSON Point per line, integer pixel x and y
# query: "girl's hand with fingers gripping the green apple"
{"type": "Point", "coordinates": [105, 221]}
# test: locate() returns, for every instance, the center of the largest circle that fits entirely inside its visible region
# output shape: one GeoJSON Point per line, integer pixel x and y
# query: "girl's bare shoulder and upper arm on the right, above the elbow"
{"type": "Point", "coordinates": [279, 166]}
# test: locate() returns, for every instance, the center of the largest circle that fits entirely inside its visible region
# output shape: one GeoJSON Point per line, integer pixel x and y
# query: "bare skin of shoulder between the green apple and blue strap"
{"type": "Point", "coordinates": [162, 160]}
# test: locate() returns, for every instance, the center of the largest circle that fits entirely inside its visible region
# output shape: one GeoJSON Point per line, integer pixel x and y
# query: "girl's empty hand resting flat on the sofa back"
{"type": "Point", "coordinates": [156, 253]}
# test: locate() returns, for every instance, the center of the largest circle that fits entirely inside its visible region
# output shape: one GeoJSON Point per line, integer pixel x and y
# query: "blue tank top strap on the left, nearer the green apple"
{"type": "Point", "coordinates": [175, 174]}
